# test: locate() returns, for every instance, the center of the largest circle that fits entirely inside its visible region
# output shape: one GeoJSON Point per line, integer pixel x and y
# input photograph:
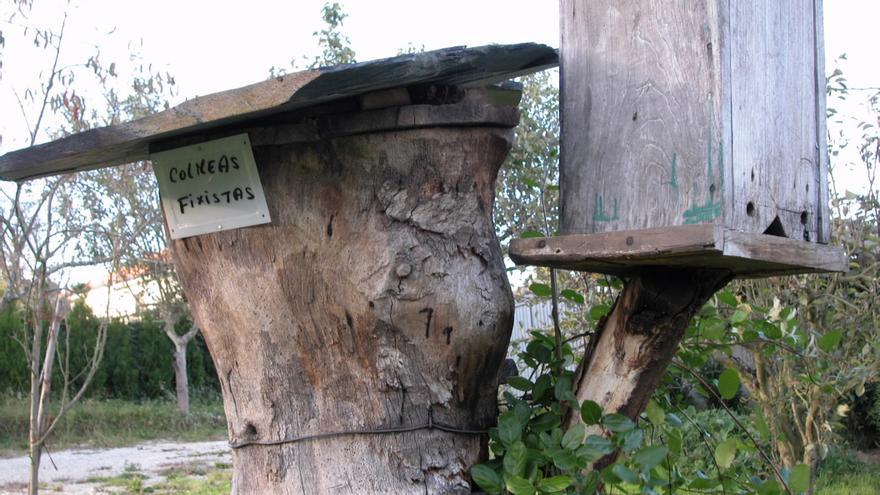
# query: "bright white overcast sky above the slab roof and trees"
{"type": "Point", "coordinates": [210, 46]}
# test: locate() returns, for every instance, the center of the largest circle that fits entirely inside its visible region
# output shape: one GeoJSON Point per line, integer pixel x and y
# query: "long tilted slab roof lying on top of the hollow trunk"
{"type": "Point", "coordinates": [129, 142]}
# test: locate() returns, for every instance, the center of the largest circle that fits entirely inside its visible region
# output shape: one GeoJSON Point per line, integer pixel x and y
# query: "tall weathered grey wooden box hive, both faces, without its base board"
{"type": "Point", "coordinates": [698, 112]}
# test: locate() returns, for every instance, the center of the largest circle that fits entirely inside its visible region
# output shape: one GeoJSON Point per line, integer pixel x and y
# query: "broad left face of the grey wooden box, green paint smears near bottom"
{"type": "Point", "coordinates": [642, 114]}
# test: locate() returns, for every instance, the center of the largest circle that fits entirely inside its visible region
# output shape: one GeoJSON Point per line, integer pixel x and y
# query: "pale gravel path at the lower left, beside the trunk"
{"type": "Point", "coordinates": [78, 465]}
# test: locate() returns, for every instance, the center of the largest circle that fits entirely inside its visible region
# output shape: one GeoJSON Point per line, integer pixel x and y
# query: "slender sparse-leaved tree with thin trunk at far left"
{"type": "Point", "coordinates": [50, 226]}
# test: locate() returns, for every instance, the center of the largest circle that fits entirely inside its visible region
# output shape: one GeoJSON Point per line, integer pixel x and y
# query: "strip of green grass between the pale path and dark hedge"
{"type": "Point", "coordinates": [114, 423]}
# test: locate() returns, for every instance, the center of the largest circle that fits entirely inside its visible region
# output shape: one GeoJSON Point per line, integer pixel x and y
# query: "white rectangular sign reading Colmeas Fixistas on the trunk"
{"type": "Point", "coordinates": [210, 186]}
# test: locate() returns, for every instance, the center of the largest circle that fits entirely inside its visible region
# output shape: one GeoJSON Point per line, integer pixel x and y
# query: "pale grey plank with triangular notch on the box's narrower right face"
{"type": "Point", "coordinates": [776, 166]}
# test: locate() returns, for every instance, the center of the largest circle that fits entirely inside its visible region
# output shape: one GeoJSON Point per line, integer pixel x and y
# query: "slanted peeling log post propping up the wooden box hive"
{"type": "Point", "coordinates": [634, 344]}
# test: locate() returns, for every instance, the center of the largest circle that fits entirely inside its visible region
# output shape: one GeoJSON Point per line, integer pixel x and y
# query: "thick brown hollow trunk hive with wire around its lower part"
{"type": "Point", "coordinates": [375, 299]}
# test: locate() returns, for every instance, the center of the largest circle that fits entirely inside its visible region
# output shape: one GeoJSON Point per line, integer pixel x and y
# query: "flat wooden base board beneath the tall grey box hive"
{"type": "Point", "coordinates": [705, 246]}
